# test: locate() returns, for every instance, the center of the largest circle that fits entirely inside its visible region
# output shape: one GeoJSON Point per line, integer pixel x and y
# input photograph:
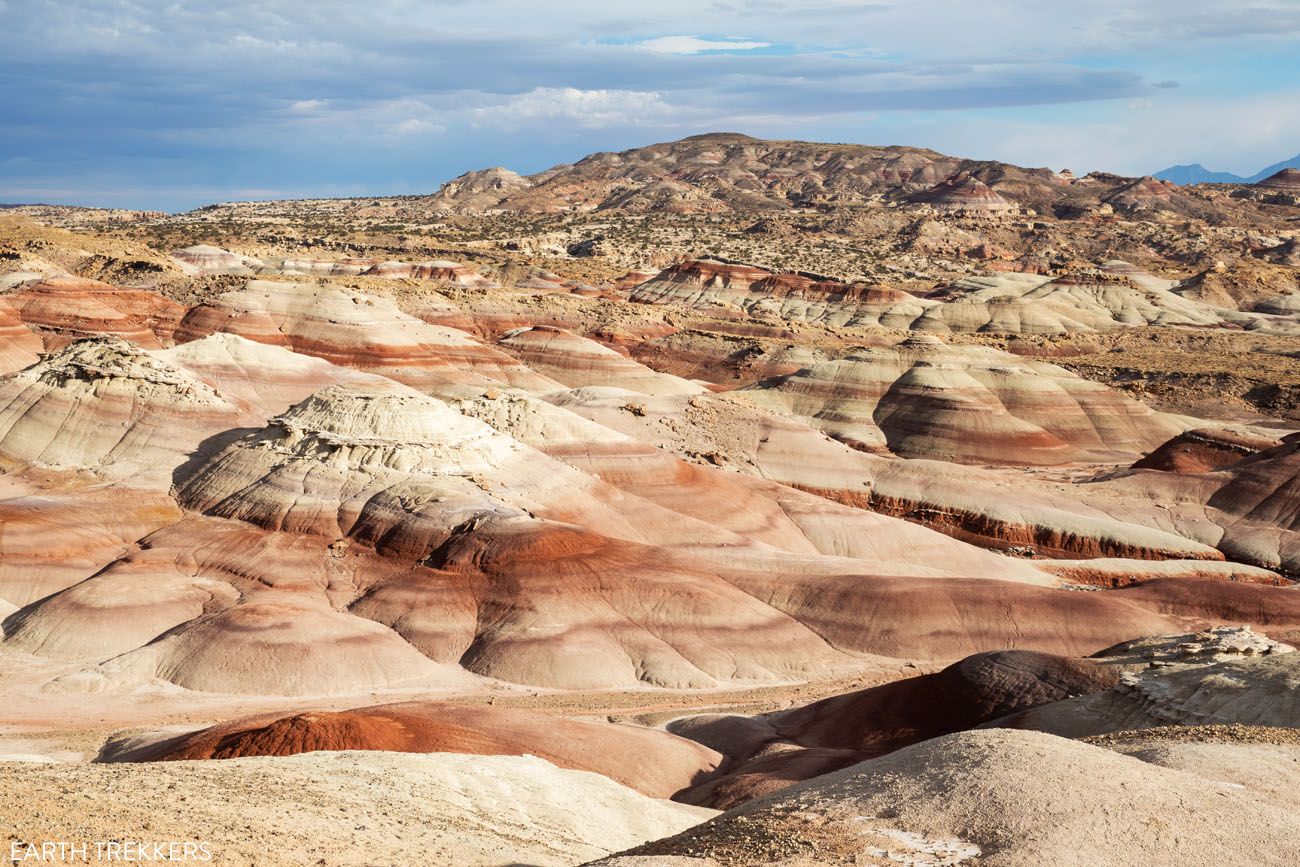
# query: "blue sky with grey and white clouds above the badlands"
{"type": "Point", "coordinates": [172, 105]}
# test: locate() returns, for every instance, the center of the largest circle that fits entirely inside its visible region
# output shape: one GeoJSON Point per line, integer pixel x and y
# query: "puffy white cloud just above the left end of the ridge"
{"type": "Point", "coordinates": [588, 109]}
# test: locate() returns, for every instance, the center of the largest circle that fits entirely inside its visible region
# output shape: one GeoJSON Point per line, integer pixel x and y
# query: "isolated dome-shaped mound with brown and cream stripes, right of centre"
{"type": "Point", "coordinates": [970, 405]}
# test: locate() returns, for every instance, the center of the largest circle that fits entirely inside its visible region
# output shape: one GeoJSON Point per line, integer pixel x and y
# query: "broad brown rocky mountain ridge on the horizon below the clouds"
{"type": "Point", "coordinates": [731, 172]}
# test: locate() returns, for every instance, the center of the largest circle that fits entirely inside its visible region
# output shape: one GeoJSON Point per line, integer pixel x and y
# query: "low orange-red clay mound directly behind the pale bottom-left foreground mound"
{"type": "Point", "coordinates": [617, 752]}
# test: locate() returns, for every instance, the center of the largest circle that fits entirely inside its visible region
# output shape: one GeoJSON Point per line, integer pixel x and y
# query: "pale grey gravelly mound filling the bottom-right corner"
{"type": "Point", "coordinates": [968, 799]}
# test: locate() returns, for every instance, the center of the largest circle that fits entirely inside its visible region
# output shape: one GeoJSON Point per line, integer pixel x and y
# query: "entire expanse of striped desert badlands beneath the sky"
{"type": "Point", "coordinates": [713, 504]}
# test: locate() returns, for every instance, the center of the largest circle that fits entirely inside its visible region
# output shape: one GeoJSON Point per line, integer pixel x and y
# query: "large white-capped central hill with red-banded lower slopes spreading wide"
{"type": "Point", "coordinates": [401, 471]}
